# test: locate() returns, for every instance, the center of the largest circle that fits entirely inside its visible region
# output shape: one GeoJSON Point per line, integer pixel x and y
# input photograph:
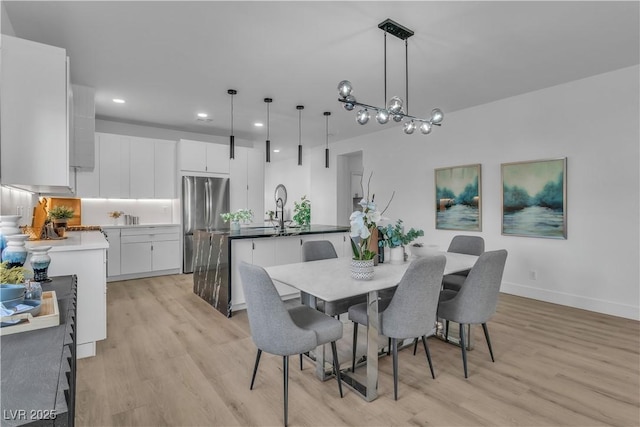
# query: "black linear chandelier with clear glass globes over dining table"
{"type": "Point", "coordinates": [394, 107]}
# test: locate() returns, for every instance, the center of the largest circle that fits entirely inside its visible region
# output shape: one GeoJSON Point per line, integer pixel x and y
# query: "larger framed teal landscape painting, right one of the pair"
{"type": "Point", "coordinates": [534, 198]}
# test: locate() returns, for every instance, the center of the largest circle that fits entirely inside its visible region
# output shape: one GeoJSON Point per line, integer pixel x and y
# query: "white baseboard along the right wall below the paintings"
{"type": "Point", "coordinates": [599, 306]}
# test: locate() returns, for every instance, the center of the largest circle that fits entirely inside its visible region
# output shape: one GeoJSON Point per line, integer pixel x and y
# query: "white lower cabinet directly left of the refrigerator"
{"type": "Point", "coordinates": [147, 251]}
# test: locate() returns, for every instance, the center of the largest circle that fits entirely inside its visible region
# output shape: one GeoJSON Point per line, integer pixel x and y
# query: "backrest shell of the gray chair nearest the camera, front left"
{"type": "Point", "coordinates": [272, 328]}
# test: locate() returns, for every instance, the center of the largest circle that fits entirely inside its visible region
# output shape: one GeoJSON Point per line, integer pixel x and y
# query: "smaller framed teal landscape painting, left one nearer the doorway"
{"type": "Point", "coordinates": [458, 201]}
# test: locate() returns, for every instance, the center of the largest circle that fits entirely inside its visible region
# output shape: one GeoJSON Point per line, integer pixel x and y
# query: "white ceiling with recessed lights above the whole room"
{"type": "Point", "coordinates": [172, 59]}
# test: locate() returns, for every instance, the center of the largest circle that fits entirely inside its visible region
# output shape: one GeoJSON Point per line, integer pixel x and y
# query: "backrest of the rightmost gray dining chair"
{"type": "Point", "coordinates": [477, 299]}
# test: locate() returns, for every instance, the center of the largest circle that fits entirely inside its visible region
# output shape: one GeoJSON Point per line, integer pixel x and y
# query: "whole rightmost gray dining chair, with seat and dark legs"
{"type": "Point", "coordinates": [477, 299]}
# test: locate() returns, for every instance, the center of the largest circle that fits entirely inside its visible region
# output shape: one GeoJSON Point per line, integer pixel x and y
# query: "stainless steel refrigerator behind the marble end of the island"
{"type": "Point", "coordinates": [203, 200]}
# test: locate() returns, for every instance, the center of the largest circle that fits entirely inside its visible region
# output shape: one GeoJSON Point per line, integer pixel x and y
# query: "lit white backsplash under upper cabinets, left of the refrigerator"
{"type": "Point", "coordinates": [95, 211]}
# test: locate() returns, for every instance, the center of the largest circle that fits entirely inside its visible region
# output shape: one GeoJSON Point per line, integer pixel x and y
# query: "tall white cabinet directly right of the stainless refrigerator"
{"type": "Point", "coordinates": [246, 184]}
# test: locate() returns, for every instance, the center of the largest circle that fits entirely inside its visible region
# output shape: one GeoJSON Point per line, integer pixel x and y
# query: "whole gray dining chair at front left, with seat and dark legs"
{"type": "Point", "coordinates": [281, 331]}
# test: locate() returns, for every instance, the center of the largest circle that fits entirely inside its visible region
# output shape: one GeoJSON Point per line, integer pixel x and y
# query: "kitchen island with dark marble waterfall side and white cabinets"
{"type": "Point", "coordinates": [218, 254]}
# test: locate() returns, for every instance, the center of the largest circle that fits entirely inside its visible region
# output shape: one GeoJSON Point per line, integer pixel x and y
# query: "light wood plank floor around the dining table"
{"type": "Point", "coordinates": [170, 359]}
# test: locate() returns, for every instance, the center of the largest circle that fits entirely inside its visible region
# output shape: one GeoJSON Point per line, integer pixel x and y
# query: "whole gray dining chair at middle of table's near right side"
{"type": "Point", "coordinates": [411, 312]}
